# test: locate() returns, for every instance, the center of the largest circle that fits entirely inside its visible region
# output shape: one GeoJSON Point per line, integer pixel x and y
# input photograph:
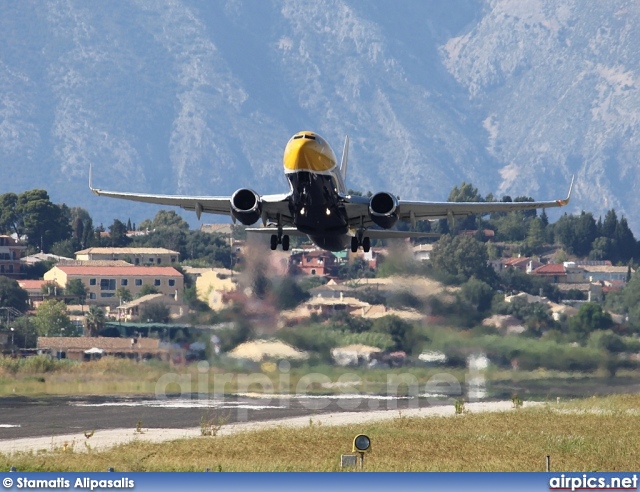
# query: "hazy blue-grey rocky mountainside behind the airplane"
{"type": "Point", "coordinates": [197, 97]}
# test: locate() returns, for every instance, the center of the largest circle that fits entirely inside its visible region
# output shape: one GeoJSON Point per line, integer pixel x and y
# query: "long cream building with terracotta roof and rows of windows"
{"type": "Point", "coordinates": [103, 281]}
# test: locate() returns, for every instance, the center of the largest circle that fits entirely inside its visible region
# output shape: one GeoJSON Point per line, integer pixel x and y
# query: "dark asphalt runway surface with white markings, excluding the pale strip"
{"type": "Point", "coordinates": [49, 416]}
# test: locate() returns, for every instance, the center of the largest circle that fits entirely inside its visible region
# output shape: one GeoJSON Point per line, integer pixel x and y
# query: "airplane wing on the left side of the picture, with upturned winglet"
{"type": "Point", "coordinates": [272, 205]}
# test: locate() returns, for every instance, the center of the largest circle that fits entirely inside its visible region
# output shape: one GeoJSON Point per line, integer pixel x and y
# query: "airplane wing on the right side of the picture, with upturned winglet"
{"type": "Point", "coordinates": [358, 209]}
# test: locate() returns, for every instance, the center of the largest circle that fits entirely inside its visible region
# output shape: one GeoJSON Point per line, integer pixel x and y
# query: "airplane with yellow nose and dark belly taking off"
{"type": "Point", "coordinates": [319, 206]}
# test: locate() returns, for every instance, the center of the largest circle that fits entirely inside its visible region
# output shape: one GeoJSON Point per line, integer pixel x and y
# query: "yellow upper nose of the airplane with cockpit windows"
{"type": "Point", "coordinates": [308, 152]}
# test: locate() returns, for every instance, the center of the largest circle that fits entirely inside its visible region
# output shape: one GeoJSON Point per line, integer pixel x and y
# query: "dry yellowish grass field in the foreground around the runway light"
{"type": "Point", "coordinates": [591, 435]}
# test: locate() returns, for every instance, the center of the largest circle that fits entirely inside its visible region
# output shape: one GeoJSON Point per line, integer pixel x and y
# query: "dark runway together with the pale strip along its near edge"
{"type": "Point", "coordinates": [62, 423]}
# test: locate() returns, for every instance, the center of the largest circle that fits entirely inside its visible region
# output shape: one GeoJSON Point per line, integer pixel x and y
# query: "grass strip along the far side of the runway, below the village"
{"type": "Point", "coordinates": [111, 376]}
